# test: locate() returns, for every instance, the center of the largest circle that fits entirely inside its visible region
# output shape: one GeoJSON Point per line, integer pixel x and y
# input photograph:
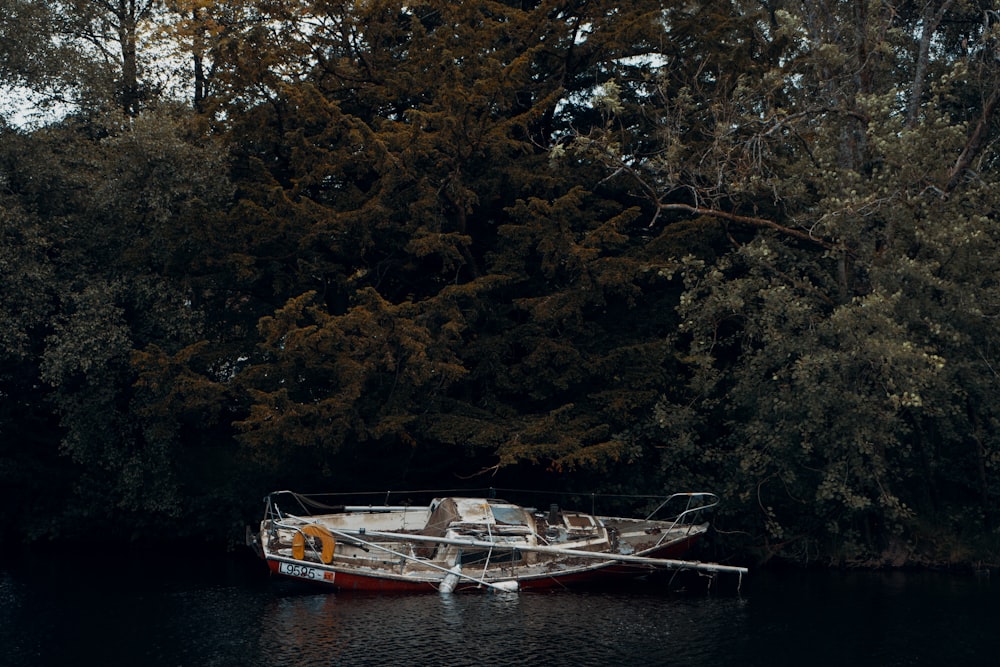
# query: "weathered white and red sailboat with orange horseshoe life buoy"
{"type": "Point", "coordinates": [456, 543]}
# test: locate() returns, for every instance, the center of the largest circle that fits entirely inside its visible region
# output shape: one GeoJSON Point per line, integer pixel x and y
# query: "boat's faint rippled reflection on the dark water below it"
{"type": "Point", "coordinates": [496, 629]}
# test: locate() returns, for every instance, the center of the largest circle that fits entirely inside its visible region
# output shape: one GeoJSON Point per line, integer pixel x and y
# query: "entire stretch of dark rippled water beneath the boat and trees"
{"type": "Point", "coordinates": [227, 611]}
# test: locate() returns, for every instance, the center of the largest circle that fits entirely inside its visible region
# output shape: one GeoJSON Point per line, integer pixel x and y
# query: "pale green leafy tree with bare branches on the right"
{"type": "Point", "coordinates": [821, 368]}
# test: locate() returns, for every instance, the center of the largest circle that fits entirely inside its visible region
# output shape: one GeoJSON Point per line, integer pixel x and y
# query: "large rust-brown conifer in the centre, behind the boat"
{"type": "Point", "coordinates": [408, 173]}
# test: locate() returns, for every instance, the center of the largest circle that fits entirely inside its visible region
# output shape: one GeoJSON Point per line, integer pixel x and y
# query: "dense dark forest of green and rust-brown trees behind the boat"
{"type": "Point", "coordinates": [746, 246]}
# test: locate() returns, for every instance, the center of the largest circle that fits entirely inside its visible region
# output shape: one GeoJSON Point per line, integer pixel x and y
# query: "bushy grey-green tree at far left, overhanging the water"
{"type": "Point", "coordinates": [101, 232]}
